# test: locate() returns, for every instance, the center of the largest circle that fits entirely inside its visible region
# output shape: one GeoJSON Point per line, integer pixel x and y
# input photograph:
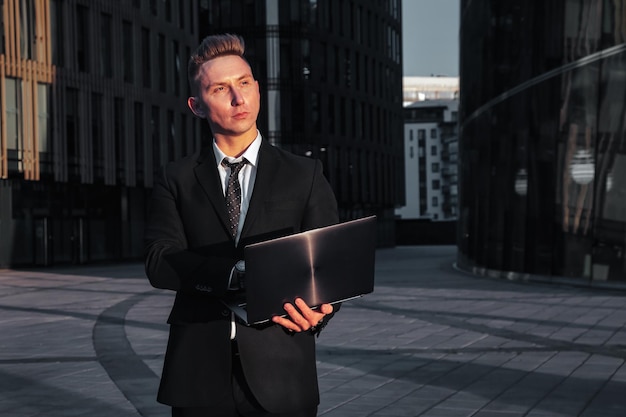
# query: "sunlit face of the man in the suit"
{"type": "Point", "coordinates": [228, 96]}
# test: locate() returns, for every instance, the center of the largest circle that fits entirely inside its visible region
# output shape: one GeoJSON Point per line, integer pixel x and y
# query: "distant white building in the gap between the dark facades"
{"type": "Point", "coordinates": [430, 160]}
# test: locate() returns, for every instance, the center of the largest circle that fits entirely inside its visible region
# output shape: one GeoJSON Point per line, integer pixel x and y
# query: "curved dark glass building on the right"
{"type": "Point", "coordinates": [543, 139]}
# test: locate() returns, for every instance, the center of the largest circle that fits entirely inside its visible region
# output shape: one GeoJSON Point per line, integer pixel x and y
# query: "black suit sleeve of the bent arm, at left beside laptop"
{"type": "Point", "coordinates": [169, 263]}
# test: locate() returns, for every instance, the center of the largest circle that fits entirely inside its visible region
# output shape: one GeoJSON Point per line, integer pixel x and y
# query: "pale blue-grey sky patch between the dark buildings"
{"type": "Point", "coordinates": [430, 37]}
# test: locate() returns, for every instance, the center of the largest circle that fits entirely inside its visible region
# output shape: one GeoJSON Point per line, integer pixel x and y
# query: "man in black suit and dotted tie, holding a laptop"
{"type": "Point", "coordinates": [215, 366]}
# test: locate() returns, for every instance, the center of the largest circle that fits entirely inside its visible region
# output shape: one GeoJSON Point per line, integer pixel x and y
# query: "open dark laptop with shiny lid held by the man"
{"type": "Point", "coordinates": [331, 264]}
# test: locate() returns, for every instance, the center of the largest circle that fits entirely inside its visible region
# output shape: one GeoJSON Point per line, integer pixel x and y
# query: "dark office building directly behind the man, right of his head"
{"type": "Point", "coordinates": [330, 73]}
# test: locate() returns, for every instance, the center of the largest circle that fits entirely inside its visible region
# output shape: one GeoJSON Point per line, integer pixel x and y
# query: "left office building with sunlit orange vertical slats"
{"type": "Point", "coordinates": [93, 101]}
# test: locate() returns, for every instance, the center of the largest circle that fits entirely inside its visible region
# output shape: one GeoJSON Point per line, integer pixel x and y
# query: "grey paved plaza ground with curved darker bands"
{"type": "Point", "coordinates": [430, 341]}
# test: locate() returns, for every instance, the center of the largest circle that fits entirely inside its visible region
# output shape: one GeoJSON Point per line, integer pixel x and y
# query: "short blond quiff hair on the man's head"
{"type": "Point", "coordinates": [212, 47]}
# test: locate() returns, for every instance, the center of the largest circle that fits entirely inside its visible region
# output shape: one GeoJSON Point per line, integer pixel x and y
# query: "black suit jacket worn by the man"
{"type": "Point", "coordinates": [189, 249]}
